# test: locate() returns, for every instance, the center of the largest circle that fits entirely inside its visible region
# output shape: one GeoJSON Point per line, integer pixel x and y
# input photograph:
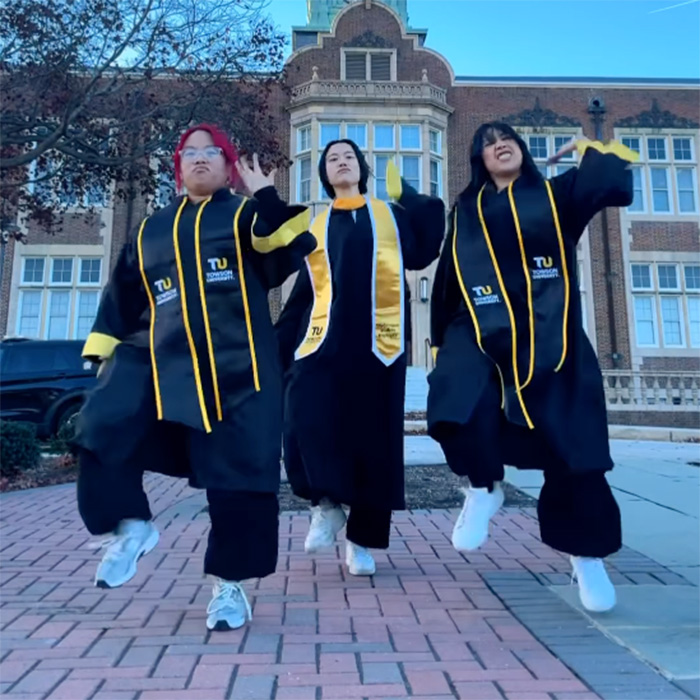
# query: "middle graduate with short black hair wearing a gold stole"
{"type": "Point", "coordinates": [342, 336]}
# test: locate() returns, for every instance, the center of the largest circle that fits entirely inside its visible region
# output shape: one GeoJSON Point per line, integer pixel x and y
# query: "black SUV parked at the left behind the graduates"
{"type": "Point", "coordinates": [43, 382]}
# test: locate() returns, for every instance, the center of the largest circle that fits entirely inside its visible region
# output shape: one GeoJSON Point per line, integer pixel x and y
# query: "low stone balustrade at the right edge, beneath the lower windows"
{"type": "Point", "coordinates": [627, 390]}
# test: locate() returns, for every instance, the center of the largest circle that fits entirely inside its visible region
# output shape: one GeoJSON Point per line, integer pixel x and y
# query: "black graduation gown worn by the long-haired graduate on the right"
{"type": "Point", "coordinates": [566, 408]}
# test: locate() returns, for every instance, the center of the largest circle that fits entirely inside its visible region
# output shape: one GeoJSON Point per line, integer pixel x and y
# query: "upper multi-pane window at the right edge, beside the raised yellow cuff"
{"type": "Point", "coordinates": [665, 179]}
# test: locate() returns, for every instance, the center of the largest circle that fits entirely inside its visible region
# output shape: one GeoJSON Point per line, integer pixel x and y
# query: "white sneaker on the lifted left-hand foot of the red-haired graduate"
{"type": "Point", "coordinates": [132, 539]}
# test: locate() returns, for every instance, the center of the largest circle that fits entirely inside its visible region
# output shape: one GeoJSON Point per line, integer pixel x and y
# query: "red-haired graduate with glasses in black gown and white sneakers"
{"type": "Point", "coordinates": [191, 382]}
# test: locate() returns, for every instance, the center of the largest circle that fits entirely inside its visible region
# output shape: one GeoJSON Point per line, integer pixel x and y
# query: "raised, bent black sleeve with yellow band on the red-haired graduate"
{"type": "Point", "coordinates": [276, 236]}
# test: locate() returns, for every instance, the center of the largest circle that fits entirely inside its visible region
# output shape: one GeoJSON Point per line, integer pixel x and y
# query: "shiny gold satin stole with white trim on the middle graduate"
{"type": "Point", "coordinates": [387, 285]}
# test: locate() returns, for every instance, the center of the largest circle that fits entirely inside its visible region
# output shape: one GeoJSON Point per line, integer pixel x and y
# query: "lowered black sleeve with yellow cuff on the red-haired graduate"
{"type": "Point", "coordinates": [121, 307]}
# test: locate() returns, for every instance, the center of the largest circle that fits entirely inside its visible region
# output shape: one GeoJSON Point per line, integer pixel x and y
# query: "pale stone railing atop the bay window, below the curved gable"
{"type": "Point", "coordinates": [334, 89]}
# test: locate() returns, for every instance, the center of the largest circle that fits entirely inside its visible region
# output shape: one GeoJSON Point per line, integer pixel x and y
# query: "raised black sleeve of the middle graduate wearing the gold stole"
{"type": "Point", "coordinates": [421, 222]}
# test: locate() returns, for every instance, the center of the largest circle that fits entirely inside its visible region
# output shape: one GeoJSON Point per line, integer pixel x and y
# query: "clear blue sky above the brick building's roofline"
{"type": "Point", "coordinates": [601, 38]}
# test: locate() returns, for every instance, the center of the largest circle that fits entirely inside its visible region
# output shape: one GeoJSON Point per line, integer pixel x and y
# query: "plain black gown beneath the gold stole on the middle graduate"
{"type": "Point", "coordinates": [344, 408]}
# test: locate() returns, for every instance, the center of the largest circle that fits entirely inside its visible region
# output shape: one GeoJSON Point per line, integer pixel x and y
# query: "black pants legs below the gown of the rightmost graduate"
{"type": "Point", "coordinates": [577, 513]}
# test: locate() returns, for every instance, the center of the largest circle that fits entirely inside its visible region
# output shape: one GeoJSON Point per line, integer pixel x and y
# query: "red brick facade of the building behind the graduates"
{"type": "Point", "coordinates": [535, 104]}
